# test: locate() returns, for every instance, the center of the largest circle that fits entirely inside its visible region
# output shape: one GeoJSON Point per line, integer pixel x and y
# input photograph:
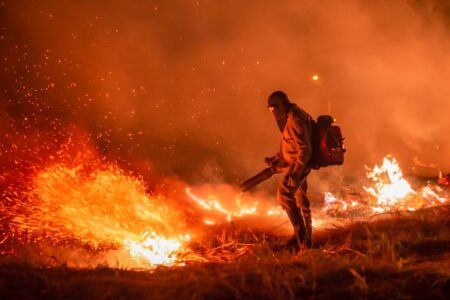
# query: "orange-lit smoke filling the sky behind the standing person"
{"type": "Point", "coordinates": [184, 84]}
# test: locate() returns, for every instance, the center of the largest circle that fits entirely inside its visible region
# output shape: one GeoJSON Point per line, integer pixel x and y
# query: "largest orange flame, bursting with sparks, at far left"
{"type": "Point", "coordinates": [102, 209]}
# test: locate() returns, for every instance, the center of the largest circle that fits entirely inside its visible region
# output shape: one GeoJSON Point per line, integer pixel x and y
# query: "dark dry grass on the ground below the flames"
{"type": "Point", "coordinates": [404, 256]}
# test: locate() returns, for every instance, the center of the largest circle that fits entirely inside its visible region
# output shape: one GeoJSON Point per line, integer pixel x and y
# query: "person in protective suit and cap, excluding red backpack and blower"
{"type": "Point", "coordinates": [293, 158]}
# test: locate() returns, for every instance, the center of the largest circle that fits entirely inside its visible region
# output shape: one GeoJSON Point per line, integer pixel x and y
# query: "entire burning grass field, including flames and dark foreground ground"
{"type": "Point", "coordinates": [83, 227]}
